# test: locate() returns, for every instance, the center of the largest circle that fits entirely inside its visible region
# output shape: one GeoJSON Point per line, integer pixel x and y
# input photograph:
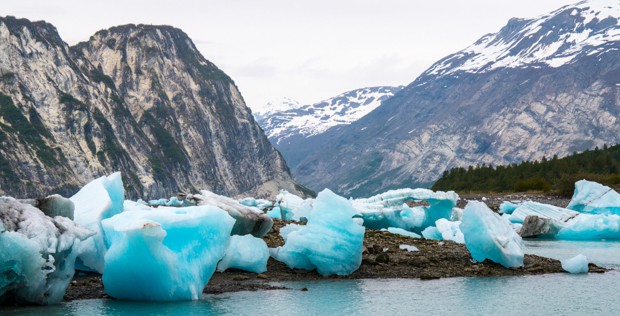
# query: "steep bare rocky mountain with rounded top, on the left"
{"type": "Point", "coordinates": [135, 98]}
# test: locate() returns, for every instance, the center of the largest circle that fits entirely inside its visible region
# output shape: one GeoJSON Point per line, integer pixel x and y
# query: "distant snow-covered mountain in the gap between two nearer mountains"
{"type": "Point", "coordinates": [289, 125]}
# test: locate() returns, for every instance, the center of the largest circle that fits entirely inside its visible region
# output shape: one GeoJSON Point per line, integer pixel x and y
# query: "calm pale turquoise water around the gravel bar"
{"type": "Point", "coordinates": [554, 294]}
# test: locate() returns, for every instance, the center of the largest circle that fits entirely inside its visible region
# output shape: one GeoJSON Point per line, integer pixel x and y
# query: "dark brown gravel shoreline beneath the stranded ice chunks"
{"type": "Point", "coordinates": [382, 258]}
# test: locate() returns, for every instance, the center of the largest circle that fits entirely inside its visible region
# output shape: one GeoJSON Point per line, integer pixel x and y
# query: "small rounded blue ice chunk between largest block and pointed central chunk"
{"type": "Point", "coordinates": [246, 253]}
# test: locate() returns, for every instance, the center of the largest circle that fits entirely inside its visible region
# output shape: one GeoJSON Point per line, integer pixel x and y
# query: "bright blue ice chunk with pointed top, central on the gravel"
{"type": "Point", "coordinates": [331, 242]}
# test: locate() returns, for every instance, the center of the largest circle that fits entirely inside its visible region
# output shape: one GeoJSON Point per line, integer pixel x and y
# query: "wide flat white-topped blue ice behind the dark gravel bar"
{"type": "Point", "coordinates": [389, 209]}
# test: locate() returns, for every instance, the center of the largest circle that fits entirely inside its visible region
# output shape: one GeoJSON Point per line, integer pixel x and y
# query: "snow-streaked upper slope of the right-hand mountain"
{"type": "Point", "coordinates": [550, 40]}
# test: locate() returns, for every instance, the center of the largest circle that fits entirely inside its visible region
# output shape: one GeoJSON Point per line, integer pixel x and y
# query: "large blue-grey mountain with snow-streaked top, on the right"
{"type": "Point", "coordinates": [538, 87]}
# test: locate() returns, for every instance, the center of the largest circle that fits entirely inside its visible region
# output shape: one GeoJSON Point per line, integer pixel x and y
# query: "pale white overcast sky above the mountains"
{"type": "Point", "coordinates": [307, 50]}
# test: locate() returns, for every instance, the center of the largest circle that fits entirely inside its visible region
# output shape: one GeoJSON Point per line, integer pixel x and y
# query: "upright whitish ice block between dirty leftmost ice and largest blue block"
{"type": "Point", "coordinates": [100, 199]}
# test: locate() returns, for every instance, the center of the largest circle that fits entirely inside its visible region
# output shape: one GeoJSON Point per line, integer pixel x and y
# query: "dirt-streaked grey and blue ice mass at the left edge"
{"type": "Point", "coordinates": [37, 253]}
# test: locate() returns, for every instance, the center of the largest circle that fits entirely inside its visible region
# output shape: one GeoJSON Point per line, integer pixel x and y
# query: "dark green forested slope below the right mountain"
{"type": "Point", "coordinates": [558, 175]}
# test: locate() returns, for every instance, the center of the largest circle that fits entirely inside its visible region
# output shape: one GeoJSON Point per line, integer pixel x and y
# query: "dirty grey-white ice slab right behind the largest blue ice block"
{"type": "Point", "coordinates": [248, 220]}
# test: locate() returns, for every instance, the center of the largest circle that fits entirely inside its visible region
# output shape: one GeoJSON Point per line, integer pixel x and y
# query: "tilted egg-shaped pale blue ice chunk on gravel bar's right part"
{"type": "Point", "coordinates": [489, 236]}
